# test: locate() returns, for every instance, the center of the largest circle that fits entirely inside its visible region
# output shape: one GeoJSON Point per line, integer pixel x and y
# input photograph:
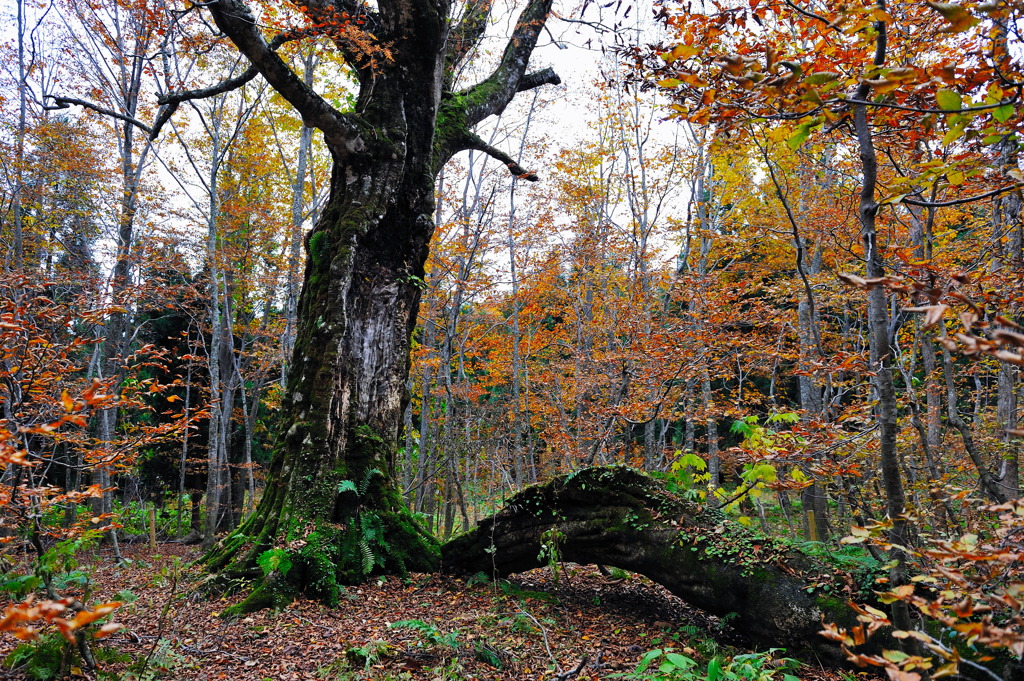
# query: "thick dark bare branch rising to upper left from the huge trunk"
{"type": "Point", "coordinates": [237, 22]}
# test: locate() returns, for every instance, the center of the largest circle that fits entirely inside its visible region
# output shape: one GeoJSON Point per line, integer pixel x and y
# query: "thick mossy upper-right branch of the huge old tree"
{"type": "Point", "coordinates": [493, 96]}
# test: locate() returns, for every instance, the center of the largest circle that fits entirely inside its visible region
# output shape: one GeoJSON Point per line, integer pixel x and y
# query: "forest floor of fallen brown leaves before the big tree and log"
{"type": "Point", "coordinates": [567, 624]}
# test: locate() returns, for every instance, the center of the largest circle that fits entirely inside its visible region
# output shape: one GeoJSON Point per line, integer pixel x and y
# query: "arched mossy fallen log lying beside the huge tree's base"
{"type": "Point", "coordinates": [620, 518]}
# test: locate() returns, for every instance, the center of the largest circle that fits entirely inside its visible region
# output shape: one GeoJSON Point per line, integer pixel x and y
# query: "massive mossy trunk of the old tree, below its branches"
{"type": "Point", "coordinates": [331, 484]}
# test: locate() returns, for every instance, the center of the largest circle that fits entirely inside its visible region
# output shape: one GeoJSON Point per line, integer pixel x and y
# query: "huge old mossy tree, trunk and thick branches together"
{"type": "Point", "coordinates": [332, 513]}
